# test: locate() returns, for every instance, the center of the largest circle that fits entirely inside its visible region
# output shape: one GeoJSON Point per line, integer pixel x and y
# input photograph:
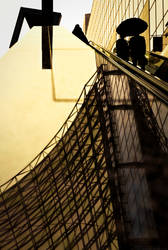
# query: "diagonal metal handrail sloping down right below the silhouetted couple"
{"type": "Point", "coordinates": [156, 86]}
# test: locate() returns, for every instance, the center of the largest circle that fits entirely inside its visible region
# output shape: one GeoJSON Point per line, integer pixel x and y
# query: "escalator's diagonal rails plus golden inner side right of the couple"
{"type": "Point", "coordinates": [148, 78]}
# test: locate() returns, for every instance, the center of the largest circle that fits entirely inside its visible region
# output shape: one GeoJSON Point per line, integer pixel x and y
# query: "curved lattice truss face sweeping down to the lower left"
{"type": "Point", "coordinates": [62, 200]}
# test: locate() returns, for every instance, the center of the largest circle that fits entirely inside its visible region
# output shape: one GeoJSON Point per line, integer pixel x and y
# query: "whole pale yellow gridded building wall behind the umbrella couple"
{"type": "Point", "coordinates": [106, 15]}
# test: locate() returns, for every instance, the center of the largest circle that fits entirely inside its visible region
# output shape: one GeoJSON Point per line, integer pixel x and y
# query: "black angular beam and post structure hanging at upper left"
{"type": "Point", "coordinates": [45, 18]}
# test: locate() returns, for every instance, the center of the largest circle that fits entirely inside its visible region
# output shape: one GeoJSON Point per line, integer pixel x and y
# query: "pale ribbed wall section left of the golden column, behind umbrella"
{"type": "Point", "coordinates": [106, 16]}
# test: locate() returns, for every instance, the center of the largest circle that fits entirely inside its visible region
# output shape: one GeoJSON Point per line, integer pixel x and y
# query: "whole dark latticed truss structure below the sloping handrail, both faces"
{"type": "Point", "coordinates": [91, 188]}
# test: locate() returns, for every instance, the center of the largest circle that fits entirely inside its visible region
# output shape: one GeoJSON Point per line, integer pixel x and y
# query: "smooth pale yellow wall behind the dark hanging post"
{"type": "Point", "coordinates": [35, 102]}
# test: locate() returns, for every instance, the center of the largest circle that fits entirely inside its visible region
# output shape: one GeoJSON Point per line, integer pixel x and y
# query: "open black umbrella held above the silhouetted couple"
{"type": "Point", "coordinates": [131, 27]}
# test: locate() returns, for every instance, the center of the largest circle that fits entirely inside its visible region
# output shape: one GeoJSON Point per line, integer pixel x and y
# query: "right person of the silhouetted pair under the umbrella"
{"type": "Point", "coordinates": [137, 48]}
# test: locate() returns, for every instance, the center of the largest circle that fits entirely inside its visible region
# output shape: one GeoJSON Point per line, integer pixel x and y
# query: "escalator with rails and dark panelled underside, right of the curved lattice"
{"type": "Point", "coordinates": [141, 166]}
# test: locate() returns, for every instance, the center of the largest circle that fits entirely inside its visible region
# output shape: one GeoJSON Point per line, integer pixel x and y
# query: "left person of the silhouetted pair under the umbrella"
{"type": "Point", "coordinates": [122, 48]}
